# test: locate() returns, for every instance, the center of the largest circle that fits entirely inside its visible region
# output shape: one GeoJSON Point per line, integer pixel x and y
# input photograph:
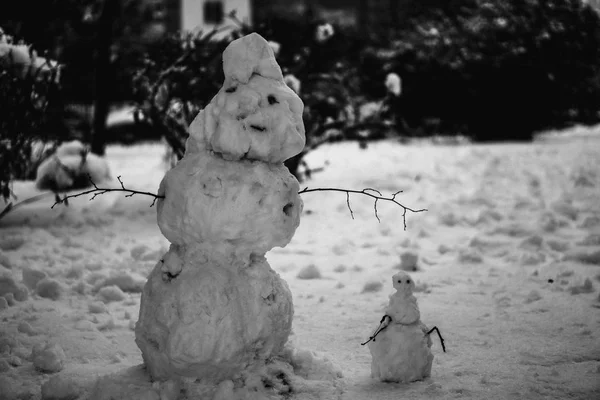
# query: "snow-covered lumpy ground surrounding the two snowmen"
{"type": "Point", "coordinates": [508, 269]}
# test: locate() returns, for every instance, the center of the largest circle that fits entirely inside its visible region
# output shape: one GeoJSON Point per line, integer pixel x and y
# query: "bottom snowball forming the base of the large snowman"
{"type": "Point", "coordinates": [224, 320]}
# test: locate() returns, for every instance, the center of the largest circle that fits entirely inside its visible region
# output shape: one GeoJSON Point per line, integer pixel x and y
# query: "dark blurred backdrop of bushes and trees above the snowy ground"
{"type": "Point", "coordinates": [125, 71]}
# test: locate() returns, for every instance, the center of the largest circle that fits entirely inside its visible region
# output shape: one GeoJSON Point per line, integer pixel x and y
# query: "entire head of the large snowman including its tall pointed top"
{"type": "Point", "coordinates": [255, 115]}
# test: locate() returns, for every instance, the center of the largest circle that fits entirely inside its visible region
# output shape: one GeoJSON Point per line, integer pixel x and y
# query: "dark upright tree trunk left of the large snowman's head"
{"type": "Point", "coordinates": [103, 81]}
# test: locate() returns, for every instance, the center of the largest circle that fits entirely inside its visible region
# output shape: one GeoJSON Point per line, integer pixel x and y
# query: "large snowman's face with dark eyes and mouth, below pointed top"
{"type": "Point", "coordinates": [260, 120]}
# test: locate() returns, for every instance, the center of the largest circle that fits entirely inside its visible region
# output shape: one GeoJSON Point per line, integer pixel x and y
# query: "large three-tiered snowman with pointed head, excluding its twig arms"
{"type": "Point", "coordinates": [213, 306]}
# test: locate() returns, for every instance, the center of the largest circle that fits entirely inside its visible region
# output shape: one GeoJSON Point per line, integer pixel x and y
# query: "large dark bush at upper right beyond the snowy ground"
{"type": "Point", "coordinates": [497, 70]}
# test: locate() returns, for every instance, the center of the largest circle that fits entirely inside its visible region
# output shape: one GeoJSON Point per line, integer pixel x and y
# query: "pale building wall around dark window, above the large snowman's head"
{"type": "Point", "coordinates": [192, 14]}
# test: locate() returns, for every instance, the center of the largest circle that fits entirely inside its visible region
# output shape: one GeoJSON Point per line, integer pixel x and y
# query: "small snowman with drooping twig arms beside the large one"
{"type": "Point", "coordinates": [401, 346]}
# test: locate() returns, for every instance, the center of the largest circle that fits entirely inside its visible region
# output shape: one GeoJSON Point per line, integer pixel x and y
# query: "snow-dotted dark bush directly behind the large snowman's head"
{"type": "Point", "coordinates": [320, 62]}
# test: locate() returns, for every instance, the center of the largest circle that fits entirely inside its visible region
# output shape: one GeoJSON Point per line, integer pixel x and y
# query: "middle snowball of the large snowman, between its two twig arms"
{"type": "Point", "coordinates": [233, 207]}
